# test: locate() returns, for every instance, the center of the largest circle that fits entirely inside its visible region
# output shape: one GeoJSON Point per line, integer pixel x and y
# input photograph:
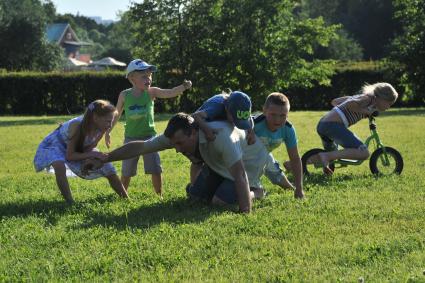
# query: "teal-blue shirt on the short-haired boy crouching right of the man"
{"type": "Point", "coordinates": [285, 134]}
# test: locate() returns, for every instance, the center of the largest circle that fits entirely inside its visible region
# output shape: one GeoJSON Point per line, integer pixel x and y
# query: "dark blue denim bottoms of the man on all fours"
{"type": "Point", "coordinates": [209, 184]}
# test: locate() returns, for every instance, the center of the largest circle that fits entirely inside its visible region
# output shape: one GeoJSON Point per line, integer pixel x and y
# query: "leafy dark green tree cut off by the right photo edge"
{"type": "Point", "coordinates": [408, 48]}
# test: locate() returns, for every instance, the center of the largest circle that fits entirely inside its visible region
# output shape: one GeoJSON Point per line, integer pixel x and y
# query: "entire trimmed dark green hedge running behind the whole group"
{"type": "Point", "coordinates": [65, 93]}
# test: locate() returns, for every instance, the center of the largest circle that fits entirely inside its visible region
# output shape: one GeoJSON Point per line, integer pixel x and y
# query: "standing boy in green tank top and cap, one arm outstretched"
{"type": "Point", "coordinates": [138, 104]}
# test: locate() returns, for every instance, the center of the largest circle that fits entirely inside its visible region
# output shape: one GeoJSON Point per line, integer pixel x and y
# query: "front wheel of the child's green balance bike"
{"type": "Point", "coordinates": [379, 166]}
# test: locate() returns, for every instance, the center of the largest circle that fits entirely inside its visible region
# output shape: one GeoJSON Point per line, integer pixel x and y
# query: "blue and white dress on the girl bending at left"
{"type": "Point", "coordinates": [53, 148]}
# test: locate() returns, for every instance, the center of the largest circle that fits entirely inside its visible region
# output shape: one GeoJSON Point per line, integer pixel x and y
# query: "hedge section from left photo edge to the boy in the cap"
{"type": "Point", "coordinates": [56, 93]}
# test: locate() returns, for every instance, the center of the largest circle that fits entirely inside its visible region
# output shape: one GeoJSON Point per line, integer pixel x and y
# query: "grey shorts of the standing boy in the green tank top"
{"type": "Point", "coordinates": [151, 161]}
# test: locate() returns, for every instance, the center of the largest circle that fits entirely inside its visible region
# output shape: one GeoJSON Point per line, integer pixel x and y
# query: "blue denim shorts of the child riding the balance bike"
{"type": "Point", "coordinates": [334, 134]}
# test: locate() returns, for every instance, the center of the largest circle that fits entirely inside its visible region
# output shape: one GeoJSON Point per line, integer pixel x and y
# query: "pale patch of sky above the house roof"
{"type": "Point", "coordinates": [107, 9]}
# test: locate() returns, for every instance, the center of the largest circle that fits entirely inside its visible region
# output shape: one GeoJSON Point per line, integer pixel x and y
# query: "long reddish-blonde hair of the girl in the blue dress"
{"type": "Point", "coordinates": [99, 108]}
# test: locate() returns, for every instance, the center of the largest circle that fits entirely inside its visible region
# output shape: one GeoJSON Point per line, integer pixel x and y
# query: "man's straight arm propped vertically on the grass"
{"type": "Point", "coordinates": [237, 171]}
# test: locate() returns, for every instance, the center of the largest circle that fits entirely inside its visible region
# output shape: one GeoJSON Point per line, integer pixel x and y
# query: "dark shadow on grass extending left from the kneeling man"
{"type": "Point", "coordinates": [172, 212]}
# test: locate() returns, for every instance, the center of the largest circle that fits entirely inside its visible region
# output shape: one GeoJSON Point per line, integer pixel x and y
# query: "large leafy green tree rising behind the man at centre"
{"type": "Point", "coordinates": [254, 45]}
